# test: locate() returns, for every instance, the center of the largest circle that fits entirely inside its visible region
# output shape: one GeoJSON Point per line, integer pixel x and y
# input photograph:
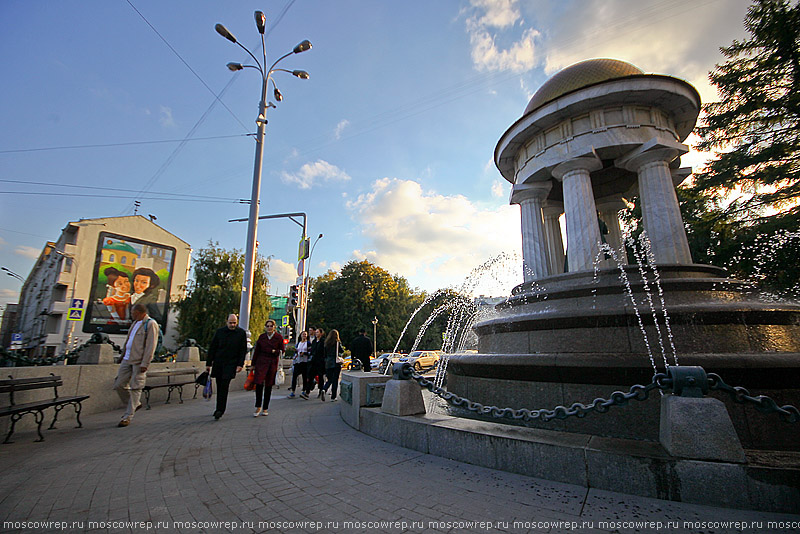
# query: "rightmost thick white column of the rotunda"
{"type": "Point", "coordinates": [661, 214]}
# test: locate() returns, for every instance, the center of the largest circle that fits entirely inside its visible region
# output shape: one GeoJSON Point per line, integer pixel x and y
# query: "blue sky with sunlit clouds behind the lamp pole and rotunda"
{"type": "Point", "coordinates": [387, 147]}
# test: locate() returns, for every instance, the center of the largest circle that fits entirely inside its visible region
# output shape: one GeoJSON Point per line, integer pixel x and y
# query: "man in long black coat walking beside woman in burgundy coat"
{"type": "Point", "coordinates": [226, 358]}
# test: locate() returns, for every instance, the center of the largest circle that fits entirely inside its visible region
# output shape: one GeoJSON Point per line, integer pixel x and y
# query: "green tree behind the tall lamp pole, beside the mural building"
{"type": "Point", "coordinates": [214, 292]}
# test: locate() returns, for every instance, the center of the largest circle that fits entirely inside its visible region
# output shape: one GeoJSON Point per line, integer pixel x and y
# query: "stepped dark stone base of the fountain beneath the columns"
{"type": "Point", "coordinates": [576, 337]}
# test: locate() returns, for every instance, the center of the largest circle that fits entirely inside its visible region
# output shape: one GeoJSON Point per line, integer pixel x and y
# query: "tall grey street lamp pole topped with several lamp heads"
{"type": "Point", "coordinates": [261, 120]}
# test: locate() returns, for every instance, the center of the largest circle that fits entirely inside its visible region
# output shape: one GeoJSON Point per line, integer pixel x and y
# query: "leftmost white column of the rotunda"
{"type": "Point", "coordinates": [534, 247]}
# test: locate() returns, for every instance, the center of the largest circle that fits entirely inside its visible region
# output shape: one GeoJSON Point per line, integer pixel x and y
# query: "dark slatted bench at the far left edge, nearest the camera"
{"type": "Point", "coordinates": [37, 407]}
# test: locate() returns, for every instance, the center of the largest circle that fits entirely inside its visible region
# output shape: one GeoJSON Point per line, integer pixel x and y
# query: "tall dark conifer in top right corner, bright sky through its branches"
{"type": "Point", "coordinates": [755, 127]}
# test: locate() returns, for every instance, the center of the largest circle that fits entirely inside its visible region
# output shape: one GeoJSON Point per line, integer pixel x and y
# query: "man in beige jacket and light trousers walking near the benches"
{"type": "Point", "coordinates": [139, 348]}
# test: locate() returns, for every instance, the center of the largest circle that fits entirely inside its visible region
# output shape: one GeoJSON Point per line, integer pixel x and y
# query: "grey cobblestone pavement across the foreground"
{"type": "Point", "coordinates": [301, 469]}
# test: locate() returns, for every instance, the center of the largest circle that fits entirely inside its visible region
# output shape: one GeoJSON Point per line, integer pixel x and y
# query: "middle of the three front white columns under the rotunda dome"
{"type": "Point", "coordinates": [583, 233]}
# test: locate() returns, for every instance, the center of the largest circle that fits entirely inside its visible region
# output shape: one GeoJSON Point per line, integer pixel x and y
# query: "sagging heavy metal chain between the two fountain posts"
{"type": "Point", "coordinates": [618, 398]}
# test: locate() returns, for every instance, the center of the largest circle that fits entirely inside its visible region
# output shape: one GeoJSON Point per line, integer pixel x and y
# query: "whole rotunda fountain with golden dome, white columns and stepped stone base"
{"type": "Point", "coordinates": [596, 133]}
